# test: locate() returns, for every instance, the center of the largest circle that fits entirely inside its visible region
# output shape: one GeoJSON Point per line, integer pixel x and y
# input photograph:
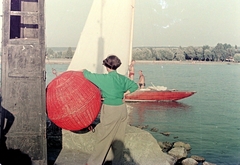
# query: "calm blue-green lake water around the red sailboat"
{"type": "Point", "coordinates": [209, 120]}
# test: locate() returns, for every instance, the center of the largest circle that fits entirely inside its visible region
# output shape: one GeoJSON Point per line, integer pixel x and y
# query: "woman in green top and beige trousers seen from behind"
{"type": "Point", "coordinates": [110, 131]}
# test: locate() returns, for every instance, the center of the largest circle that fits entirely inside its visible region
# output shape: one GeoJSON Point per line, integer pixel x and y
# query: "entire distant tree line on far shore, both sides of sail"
{"type": "Point", "coordinates": [221, 52]}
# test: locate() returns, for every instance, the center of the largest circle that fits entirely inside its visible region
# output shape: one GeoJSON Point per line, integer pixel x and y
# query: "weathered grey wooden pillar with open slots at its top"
{"type": "Point", "coordinates": [23, 76]}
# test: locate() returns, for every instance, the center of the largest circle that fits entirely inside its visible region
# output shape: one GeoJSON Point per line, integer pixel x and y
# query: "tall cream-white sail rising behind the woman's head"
{"type": "Point", "coordinates": [107, 31]}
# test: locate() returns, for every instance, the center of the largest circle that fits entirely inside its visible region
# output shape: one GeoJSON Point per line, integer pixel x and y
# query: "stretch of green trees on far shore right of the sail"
{"type": "Point", "coordinates": [220, 52]}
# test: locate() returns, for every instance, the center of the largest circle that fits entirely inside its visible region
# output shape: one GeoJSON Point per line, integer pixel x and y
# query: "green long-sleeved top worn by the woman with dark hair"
{"type": "Point", "coordinates": [112, 86]}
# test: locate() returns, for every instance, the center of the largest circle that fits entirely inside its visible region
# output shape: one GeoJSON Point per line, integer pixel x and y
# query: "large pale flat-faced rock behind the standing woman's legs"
{"type": "Point", "coordinates": [140, 148]}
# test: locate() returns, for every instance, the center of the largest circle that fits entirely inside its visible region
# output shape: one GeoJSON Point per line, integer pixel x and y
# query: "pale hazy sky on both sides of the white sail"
{"type": "Point", "coordinates": [156, 22]}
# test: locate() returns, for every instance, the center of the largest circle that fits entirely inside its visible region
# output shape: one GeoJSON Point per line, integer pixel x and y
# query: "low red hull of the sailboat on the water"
{"type": "Point", "coordinates": [155, 95]}
